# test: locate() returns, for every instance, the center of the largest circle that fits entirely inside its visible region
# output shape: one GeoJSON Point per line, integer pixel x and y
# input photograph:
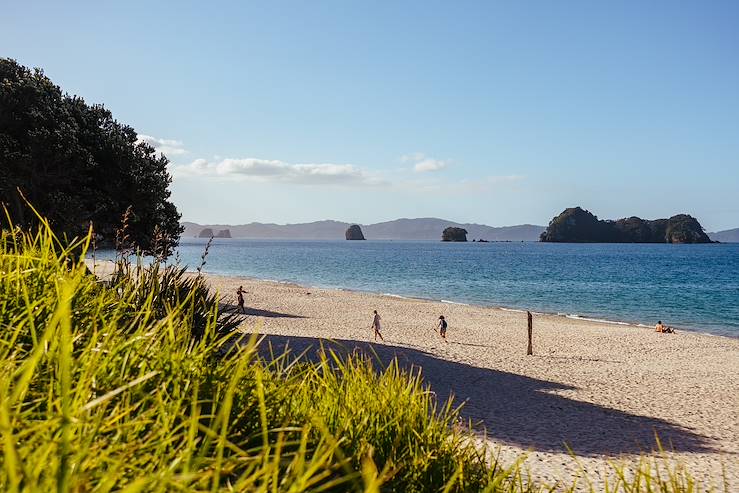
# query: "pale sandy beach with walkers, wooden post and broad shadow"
{"type": "Point", "coordinates": [600, 390]}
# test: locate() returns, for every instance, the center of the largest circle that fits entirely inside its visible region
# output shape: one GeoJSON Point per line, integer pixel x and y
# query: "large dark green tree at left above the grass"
{"type": "Point", "coordinates": [77, 165]}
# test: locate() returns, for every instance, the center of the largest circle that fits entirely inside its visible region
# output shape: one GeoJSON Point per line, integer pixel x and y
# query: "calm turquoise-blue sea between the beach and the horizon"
{"type": "Point", "coordinates": [688, 286]}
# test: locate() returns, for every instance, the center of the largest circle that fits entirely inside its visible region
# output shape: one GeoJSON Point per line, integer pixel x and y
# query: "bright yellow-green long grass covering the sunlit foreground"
{"type": "Point", "coordinates": [136, 385]}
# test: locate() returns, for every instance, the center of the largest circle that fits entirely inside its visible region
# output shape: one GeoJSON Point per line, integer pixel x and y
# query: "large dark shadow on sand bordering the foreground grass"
{"type": "Point", "coordinates": [515, 409]}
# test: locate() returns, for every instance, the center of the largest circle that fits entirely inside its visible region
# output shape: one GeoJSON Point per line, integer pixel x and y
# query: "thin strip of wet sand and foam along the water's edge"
{"type": "Point", "coordinates": [571, 316]}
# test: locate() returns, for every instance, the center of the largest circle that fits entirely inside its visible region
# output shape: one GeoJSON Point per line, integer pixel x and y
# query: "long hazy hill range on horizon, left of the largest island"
{"type": "Point", "coordinates": [400, 229]}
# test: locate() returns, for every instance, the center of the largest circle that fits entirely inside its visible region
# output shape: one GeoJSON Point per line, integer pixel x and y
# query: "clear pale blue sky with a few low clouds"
{"type": "Point", "coordinates": [499, 113]}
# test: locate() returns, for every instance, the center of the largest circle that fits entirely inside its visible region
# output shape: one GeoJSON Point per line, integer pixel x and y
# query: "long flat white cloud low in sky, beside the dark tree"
{"type": "Point", "coordinates": [271, 170]}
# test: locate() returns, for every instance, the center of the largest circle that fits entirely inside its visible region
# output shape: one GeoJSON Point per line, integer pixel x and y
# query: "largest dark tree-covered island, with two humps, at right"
{"type": "Point", "coordinates": [577, 225]}
